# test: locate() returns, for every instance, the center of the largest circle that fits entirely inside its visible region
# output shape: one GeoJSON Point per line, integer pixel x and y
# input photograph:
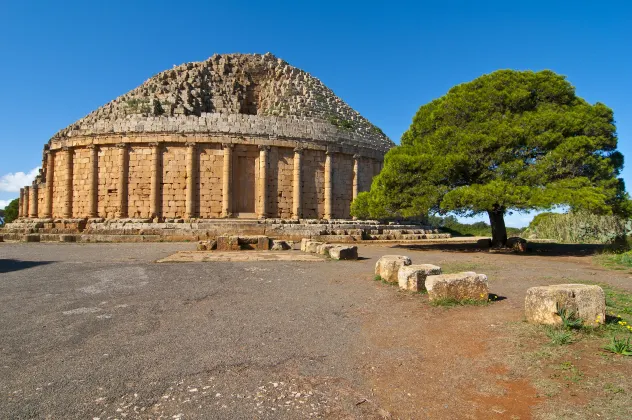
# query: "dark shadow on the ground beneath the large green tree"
{"type": "Point", "coordinates": [533, 249]}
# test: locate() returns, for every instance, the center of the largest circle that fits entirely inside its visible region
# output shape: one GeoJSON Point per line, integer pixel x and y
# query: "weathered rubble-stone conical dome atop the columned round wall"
{"type": "Point", "coordinates": [253, 94]}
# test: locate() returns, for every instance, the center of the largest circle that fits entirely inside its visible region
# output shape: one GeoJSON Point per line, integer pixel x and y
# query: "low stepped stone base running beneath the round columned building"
{"type": "Point", "coordinates": [177, 230]}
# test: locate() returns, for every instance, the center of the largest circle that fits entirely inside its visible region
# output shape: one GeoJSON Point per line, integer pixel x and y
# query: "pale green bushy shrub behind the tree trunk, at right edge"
{"type": "Point", "coordinates": [579, 227]}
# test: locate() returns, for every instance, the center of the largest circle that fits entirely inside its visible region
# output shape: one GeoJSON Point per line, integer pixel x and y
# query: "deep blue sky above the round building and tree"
{"type": "Point", "coordinates": [61, 60]}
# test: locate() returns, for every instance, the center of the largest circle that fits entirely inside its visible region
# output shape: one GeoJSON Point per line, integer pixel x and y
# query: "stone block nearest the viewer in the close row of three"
{"type": "Point", "coordinates": [460, 286]}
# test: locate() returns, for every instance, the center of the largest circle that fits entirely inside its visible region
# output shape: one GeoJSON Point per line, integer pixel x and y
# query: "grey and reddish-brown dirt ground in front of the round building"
{"type": "Point", "coordinates": [278, 339]}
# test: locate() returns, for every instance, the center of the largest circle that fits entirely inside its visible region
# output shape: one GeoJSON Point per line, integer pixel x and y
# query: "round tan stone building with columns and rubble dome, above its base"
{"type": "Point", "coordinates": [238, 135]}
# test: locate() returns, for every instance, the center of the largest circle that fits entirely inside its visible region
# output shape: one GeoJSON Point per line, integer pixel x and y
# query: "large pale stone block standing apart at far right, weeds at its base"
{"type": "Point", "coordinates": [587, 302]}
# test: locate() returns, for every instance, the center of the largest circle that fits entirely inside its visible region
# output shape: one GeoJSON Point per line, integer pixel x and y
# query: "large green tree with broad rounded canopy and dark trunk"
{"type": "Point", "coordinates": [509, 140]}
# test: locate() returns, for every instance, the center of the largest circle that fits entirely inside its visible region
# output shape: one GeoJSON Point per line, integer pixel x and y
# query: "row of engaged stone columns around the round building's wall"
{"type": "Point", "coordinates": [28, 206]}
